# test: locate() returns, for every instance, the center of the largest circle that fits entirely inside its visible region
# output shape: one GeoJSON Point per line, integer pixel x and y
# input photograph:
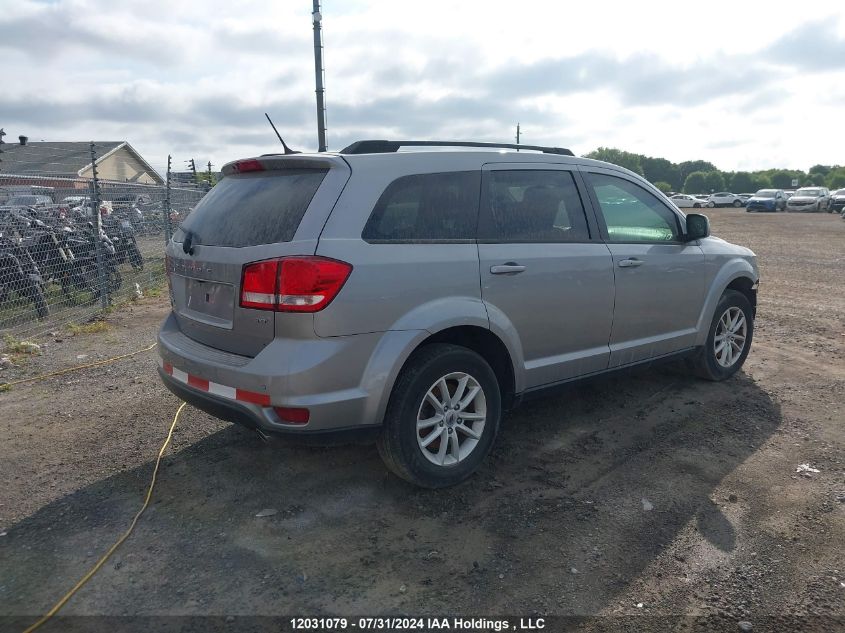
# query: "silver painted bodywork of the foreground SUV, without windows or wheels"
{"type": "Point", "coordinates": [342, 362]}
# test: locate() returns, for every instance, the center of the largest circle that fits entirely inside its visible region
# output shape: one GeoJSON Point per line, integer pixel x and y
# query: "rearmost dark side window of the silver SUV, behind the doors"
{"type": "Point", "coordinates": [426, 207]}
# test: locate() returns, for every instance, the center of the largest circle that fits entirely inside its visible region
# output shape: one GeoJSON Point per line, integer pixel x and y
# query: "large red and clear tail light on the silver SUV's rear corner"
{"type": "Point", "coordinates": [293, 284]}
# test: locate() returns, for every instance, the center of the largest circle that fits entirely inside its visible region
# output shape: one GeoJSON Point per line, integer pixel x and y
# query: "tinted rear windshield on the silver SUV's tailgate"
{"type": "Point", "coordinates": [253, 209]}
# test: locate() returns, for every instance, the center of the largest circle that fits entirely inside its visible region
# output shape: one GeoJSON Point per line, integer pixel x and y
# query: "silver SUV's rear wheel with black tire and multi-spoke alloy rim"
{"type": "Point", "coordinates": [442, 417]}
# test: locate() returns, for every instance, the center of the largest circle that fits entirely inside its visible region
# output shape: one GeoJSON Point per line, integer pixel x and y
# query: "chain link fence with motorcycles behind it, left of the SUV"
{"type": "Point", "coordinates": [71, 248]}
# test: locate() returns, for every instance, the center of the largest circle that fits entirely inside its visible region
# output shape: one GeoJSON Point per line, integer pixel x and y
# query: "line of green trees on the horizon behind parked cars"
{"type": "Point", "coordinates": [701, 176]}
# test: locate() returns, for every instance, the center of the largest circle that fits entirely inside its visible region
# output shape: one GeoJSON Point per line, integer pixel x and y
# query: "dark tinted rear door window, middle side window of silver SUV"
{"type": "Point", "coordinates": [532, 206]}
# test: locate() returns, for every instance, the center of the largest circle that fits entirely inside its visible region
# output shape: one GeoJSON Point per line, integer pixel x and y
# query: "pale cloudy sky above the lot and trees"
{"type": "Point", "coordinates": [745, 85]}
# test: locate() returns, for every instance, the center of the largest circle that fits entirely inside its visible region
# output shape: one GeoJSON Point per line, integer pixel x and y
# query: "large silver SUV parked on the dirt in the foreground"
{"type": "Point", "coordinates": [419, 294]}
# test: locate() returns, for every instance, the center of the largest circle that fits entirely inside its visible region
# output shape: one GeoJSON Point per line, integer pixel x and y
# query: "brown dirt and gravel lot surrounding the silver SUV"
{"type": "Point", "coordinates": [641, 498]}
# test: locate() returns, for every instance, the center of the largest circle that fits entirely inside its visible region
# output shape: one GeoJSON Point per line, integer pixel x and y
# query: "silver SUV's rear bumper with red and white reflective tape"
{"type": "Point", "coordinates": [340, 380]}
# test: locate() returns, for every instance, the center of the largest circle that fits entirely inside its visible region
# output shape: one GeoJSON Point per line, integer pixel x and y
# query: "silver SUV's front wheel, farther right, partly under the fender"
{"type": "Point", "coordinates": [728, 340]}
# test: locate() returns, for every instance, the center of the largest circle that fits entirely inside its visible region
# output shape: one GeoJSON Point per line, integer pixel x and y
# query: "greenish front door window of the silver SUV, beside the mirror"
{"type": "Point", "coordinates": [631, 213]}
